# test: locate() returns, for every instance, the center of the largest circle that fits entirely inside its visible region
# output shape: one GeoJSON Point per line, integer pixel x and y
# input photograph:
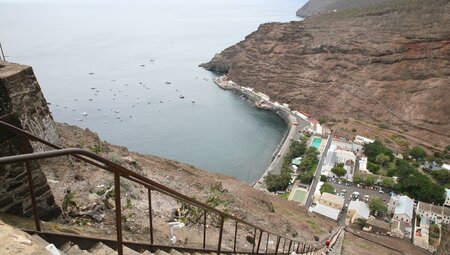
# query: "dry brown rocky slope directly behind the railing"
{"type": "Point", "coordinates": [89, 183]}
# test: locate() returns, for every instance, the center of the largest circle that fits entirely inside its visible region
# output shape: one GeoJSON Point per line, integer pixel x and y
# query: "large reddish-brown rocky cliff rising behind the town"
{"type": "Point", "coordinates": [385, 64]}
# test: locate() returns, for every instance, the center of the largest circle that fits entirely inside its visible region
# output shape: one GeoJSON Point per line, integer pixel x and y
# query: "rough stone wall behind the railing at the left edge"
{"type": "Point", "coordinates": [23, 105]}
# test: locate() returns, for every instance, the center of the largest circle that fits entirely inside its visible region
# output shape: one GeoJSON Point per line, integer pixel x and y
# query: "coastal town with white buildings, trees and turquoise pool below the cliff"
{"type": "Point", "coordinates": [352, 180]}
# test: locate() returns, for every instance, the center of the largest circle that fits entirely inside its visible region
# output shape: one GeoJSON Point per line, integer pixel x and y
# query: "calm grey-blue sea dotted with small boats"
{"type": "Point", "coordinates": [110, 61]}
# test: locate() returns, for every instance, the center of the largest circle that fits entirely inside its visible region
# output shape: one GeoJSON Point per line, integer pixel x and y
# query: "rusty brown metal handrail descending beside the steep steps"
{"type": "Point", "coordinates": [120, 171]}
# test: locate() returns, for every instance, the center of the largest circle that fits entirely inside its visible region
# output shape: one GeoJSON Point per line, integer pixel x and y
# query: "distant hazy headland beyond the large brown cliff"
{"type": "Point", "coordinates": [313, 7]}
